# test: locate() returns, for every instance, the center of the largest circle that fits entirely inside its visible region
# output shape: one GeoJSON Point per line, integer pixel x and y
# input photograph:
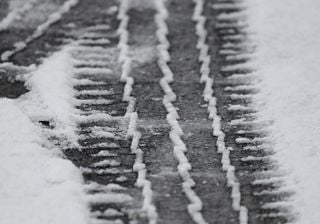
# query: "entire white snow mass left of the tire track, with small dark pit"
{"type": "Point", "coordinates": [37, 185]}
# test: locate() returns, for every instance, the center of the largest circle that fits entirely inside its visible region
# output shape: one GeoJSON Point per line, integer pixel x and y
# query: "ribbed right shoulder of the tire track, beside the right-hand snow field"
{"type": "Point", "coordinates": [261, 181]}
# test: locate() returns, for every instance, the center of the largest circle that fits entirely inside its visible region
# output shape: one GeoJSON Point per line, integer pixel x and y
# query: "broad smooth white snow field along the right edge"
{"type": "Point", "coordinates": [288, 61]}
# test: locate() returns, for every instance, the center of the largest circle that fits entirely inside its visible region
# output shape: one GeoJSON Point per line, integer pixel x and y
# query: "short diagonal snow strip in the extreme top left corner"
{"type": "Point", "coordinates": [16, 13]}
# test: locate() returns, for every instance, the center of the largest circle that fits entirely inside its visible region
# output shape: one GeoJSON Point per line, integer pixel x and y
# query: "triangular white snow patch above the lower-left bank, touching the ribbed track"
{"type": "Point", "coordinates": [51, 95]}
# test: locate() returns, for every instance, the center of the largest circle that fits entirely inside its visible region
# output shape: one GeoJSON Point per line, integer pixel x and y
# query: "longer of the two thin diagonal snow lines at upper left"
{"type": "Point", "coordinates": [40, 30]}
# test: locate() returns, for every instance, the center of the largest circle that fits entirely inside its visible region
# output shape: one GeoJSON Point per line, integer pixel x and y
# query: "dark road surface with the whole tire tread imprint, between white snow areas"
{"type": "Point", "coordinates": [170, 134]}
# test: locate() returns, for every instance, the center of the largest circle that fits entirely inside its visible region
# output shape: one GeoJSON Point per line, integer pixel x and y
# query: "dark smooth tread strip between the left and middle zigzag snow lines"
{"type": "Point", "coordinates": [169, 199]}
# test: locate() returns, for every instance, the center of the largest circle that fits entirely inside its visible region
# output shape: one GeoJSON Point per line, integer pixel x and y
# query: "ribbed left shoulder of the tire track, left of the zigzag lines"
{"type": "Point", "coordinates": [104, 154]}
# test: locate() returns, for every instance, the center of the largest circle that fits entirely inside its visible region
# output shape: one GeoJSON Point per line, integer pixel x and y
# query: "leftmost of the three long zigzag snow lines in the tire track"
{"type": "Point", "coordinates": [139, 166]}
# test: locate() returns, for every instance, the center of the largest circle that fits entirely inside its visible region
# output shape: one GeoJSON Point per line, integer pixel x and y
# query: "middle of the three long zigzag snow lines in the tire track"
{"type": "Point", "coordinates": [195, 205]}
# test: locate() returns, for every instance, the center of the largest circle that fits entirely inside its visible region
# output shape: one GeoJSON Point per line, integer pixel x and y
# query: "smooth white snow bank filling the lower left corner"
{"type": "Point", "coordinates": [37, 186]}
